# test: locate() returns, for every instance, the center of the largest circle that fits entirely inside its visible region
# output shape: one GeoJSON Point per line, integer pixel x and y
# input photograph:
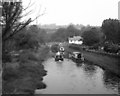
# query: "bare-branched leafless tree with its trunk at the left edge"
{"type": "Point", "coordinates": [11, 21]}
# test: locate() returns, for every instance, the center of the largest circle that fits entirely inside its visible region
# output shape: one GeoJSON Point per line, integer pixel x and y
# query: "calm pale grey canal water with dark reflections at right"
{"type": "Point", "coordinates": [68, 77]}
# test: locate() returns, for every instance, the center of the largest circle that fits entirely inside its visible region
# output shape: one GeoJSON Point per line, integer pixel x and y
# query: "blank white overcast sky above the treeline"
{"type": "Point", "coordinates": [63, 12]}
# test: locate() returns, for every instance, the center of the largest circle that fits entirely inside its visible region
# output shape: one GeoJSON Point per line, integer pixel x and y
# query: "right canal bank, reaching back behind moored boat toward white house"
{"type": "Point", "coordinates": [104, 60]}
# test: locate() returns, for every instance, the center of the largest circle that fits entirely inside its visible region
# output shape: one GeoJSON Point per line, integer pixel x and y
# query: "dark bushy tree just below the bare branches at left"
{"type": "Point", "coordinates": [25, 40]}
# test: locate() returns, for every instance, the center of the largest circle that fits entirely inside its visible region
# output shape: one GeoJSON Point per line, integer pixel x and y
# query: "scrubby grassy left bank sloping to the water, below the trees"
{"type": "Point", "coordinates": [25, 74]}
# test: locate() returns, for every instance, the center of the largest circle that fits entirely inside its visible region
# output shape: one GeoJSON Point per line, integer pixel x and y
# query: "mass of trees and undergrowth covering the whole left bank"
{"type": "Point", "coordinates": [22, 51]}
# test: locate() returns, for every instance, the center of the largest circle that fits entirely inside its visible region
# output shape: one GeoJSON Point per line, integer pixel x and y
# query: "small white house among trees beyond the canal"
{"type": "Point", "coordinates": [75, 40]}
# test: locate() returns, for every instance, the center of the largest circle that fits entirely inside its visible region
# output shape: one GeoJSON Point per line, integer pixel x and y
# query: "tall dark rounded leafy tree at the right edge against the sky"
{"type": "Point", "coordinates": [111, 29]}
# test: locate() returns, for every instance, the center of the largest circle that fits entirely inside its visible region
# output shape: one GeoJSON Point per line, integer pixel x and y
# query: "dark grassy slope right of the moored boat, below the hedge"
{"type": "Point", "coordinates": [105, 61]}
